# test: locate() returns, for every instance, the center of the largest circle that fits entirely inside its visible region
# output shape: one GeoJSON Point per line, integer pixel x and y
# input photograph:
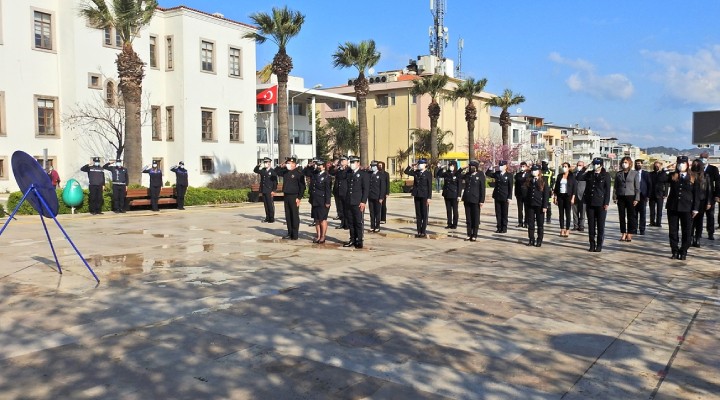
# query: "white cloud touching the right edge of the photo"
{"type": "Point", "coordinates": [691, 78]}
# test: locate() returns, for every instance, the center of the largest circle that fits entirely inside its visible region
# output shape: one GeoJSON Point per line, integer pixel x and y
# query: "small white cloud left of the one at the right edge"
{"type": "Point", "coordinates": [587, 80]}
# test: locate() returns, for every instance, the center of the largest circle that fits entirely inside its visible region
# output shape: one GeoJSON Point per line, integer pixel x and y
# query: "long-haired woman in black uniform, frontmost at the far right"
{"type": "Point", "coordinates": [682, 206]}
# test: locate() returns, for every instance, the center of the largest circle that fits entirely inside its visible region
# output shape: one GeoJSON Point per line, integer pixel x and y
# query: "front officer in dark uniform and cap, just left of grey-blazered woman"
{"type": "Point", "coordinates": [597, 202]}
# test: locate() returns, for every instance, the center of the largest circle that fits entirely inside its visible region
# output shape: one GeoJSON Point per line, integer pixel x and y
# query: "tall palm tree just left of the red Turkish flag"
{"type": "Point", "coordinates": [280, 26]}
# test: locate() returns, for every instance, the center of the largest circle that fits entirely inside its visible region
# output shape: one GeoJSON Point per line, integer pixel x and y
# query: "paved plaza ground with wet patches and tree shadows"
{"type": "Point", "coordinates": [210, 303]}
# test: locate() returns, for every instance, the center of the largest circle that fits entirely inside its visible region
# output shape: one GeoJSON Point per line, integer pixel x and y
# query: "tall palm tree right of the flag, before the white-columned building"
{"type": "Point", "coordinates": [361, 56]}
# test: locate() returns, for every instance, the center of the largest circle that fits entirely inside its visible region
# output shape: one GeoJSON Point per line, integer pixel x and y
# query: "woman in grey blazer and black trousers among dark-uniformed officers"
{"type": "Point", "coordinates": [627, 196]}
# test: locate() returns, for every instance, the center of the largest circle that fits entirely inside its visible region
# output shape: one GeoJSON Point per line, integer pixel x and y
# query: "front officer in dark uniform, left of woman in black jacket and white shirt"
{"type": "Point", "coordinates": [537, 203]}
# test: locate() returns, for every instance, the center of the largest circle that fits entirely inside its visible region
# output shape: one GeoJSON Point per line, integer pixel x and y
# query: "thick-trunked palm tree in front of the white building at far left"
{"type": "Point", "coordinates": [127, 17]}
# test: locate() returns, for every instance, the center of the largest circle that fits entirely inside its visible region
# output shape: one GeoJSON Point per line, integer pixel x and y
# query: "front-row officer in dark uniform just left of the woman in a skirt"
{"type": "Point", "coordinates": [293, 192]}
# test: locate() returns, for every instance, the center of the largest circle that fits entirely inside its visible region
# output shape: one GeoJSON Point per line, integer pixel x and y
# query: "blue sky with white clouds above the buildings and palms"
{"type": "Point", "coordinates": [635, 70]}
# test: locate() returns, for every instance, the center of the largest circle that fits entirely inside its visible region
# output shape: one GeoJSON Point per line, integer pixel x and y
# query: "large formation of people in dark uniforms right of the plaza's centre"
{"type": "Point", "coordinates": [689, 191]}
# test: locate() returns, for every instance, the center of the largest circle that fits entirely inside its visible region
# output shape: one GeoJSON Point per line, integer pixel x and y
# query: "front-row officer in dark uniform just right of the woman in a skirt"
{"type": "Point", "coordinates": [358, 188]}
